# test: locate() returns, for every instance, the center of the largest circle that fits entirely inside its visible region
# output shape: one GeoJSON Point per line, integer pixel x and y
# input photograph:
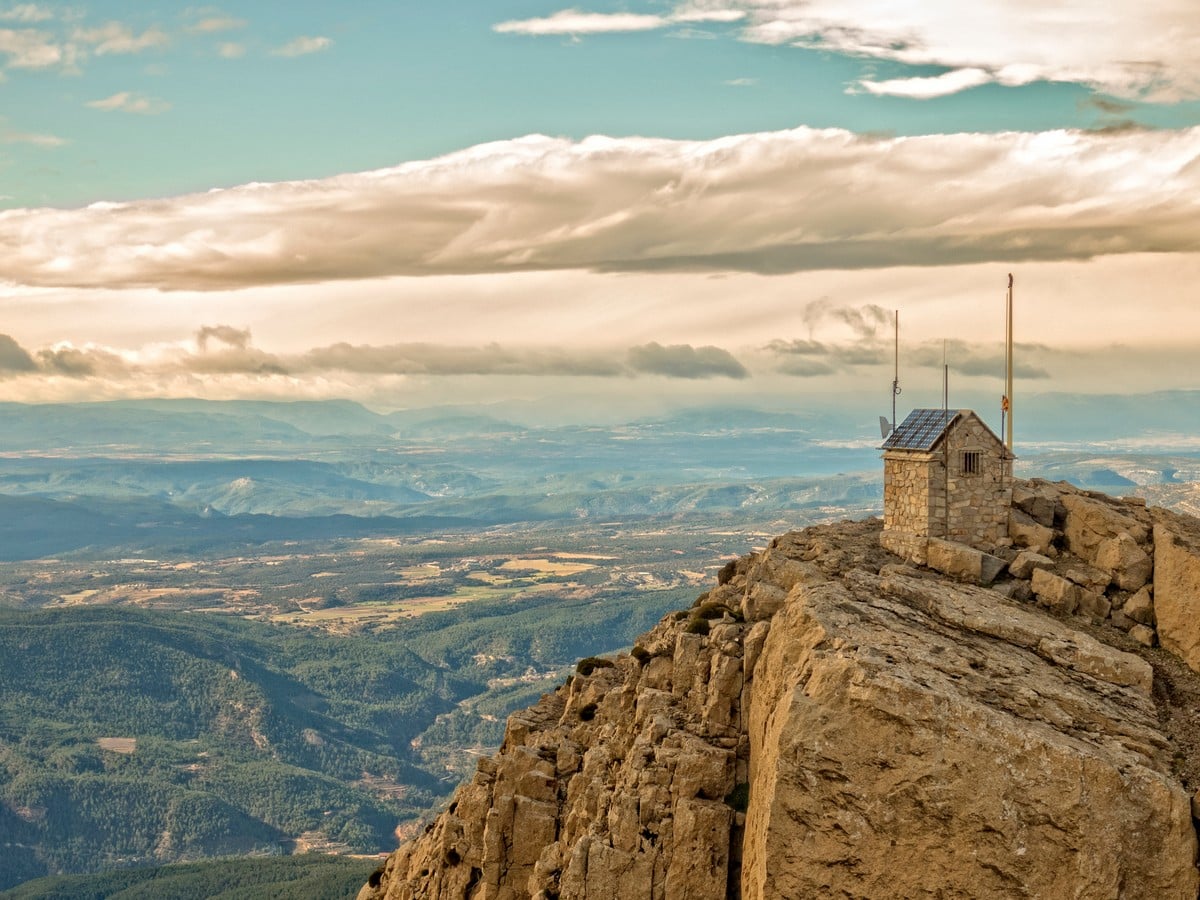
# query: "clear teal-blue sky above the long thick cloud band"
{"type": "Point", "coordinates": [387, 82]}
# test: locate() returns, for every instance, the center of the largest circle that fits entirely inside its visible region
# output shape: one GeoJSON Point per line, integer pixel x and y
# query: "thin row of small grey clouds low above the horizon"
{"type": "Point", "coordinates": [218, 351]}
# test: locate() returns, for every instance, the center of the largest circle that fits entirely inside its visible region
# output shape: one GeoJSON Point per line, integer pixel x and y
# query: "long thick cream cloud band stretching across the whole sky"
{"type": "Point", "coordinates": [770, 203]}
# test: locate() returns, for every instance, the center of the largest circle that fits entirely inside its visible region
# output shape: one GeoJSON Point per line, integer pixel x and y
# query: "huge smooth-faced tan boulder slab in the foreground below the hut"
{"type": "Point", "coordinates": [901, 751]}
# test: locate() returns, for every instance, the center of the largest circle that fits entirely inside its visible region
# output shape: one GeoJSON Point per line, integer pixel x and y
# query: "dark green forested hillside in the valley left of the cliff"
{"type": "Point", "coordinates": [133, 736]}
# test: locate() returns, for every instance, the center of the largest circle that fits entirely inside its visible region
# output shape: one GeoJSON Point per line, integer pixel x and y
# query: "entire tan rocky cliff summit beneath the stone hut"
{"type": "Point", "coordinates": [831, 721]}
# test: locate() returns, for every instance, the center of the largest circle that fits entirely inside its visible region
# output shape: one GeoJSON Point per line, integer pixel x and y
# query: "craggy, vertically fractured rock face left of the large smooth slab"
{"type": "Point", "coordinates": [614, 787]}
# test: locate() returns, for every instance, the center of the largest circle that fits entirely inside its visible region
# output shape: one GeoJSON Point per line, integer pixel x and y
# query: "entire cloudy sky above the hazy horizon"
{"type": "Point", "coordinates": [599, 208]}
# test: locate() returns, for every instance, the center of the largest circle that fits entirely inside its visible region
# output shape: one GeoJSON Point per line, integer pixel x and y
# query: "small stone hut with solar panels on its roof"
{"type": "Point", "coordinates": [946, 476]}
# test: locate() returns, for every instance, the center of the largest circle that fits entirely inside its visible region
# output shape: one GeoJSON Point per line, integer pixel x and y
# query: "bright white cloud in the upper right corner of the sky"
{"type": "Point", "coordinates": [1147, 51]}
